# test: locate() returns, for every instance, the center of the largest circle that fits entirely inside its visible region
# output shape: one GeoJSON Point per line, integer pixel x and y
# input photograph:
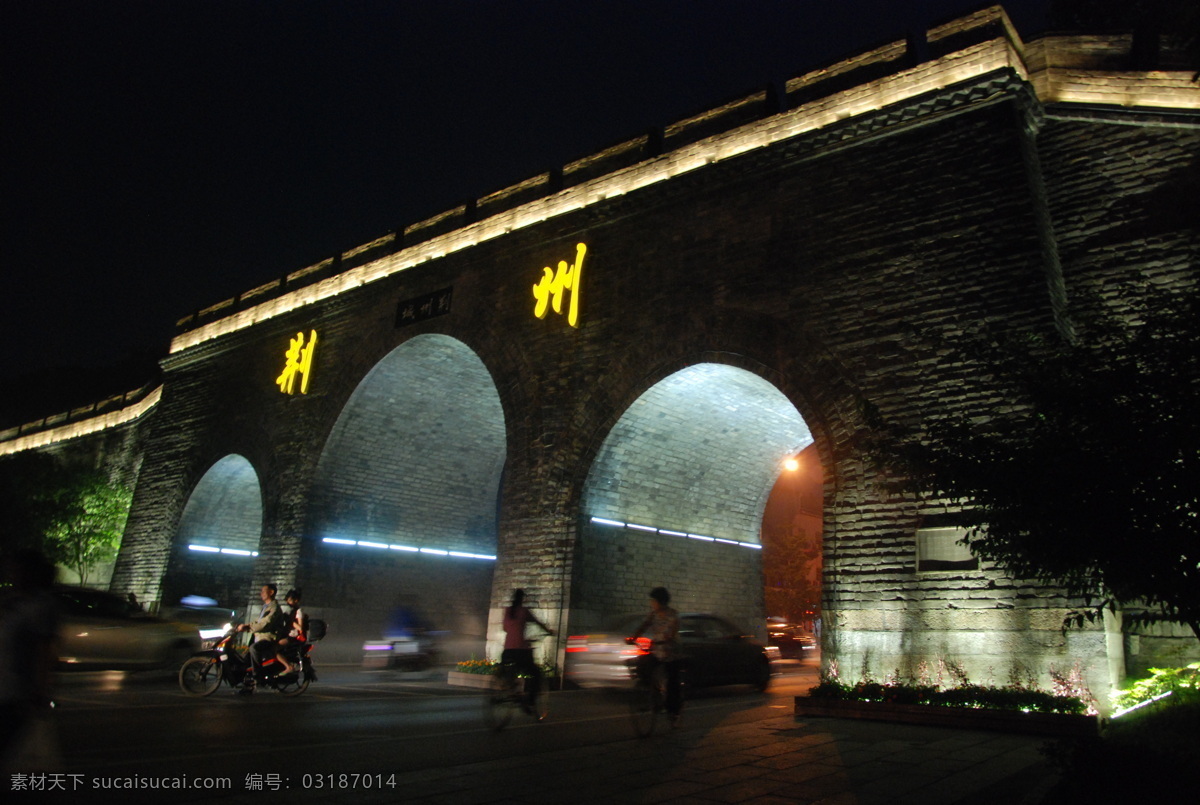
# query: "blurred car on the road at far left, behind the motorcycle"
{"type": "Point", "coordinates": [100, 630]}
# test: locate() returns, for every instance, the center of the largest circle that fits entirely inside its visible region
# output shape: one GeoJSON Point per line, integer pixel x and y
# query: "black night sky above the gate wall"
{"type": "Point", "coordinates": [160, 157]}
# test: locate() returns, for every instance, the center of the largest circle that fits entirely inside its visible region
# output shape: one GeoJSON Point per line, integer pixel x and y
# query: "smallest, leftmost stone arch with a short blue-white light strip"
{"type": "Point", "coordinates": [219, 534]}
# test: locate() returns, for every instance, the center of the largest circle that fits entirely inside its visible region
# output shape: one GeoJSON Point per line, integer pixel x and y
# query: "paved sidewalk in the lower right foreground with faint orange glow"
{"type": "Point", "coordinates": [779, 760]}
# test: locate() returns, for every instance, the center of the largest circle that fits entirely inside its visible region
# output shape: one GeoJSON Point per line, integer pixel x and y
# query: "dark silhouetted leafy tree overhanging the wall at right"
{"type": "Point", "coordinates": [1091, 482]}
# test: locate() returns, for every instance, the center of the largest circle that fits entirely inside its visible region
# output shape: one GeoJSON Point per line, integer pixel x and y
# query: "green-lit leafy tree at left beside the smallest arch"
{"type": "Point", "coordinates": [88, 521]}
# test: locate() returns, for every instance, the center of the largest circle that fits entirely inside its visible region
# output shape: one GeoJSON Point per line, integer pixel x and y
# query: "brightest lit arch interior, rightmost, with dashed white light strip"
{"type": "Point", "coordinates": [676, 492]}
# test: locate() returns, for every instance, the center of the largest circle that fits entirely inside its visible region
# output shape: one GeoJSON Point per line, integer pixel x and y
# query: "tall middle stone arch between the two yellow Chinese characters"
{"type": "Point", "coordinates": [404, 510]}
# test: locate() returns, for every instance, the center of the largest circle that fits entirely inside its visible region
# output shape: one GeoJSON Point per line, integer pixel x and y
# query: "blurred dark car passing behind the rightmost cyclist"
{"type": "Point", "coordinates": [716, 653]}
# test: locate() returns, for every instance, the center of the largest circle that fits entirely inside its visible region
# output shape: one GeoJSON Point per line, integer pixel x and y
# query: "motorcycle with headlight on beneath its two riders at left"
{"type": "Point", "coordinates": [230, 663]}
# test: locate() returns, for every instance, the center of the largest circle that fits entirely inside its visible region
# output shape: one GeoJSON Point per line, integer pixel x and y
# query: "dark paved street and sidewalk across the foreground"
{"type": "Point", "coordinates": [417, 740]}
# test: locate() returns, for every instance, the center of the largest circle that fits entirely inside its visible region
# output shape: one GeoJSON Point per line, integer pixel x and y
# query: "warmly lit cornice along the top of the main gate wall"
{"type": "Point", "coordinates": [1037, 64]}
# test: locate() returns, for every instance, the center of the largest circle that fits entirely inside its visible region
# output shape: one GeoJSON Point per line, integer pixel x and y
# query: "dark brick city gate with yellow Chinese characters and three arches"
{"type": "Point", "coordinates": [585, 385]}
